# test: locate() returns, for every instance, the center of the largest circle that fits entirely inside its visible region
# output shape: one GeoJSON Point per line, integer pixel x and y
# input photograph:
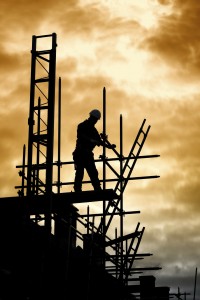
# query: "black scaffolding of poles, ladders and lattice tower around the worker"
{"type": "Point", "coordinates": [115, 255]}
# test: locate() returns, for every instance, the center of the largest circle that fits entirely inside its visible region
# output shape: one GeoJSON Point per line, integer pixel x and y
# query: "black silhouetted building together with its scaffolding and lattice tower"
{"type": "Point", "coordinates": [49, 250]}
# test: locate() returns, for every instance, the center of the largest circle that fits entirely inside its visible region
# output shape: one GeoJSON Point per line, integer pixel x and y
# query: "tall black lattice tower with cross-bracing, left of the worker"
{"type": "Point", "coordinates": [41, 121]}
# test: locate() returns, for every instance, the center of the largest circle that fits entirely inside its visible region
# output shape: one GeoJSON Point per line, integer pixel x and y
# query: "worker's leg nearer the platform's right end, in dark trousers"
{"type": "Point", "coordinates": [92, 172]}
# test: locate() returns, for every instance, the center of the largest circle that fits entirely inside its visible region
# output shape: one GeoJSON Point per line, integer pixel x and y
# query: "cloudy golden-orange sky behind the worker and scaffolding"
{"type": "Point", "coordinates": [147, 55]}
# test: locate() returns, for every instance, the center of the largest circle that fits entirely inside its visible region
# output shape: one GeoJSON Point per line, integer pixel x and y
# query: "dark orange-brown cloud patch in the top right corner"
{"type": "Point", "coordinates": [177, 39]}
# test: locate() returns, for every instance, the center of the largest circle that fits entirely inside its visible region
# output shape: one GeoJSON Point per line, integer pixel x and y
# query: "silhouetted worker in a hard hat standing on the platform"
{"type": "Point", "coordinates": [83, 156]}
